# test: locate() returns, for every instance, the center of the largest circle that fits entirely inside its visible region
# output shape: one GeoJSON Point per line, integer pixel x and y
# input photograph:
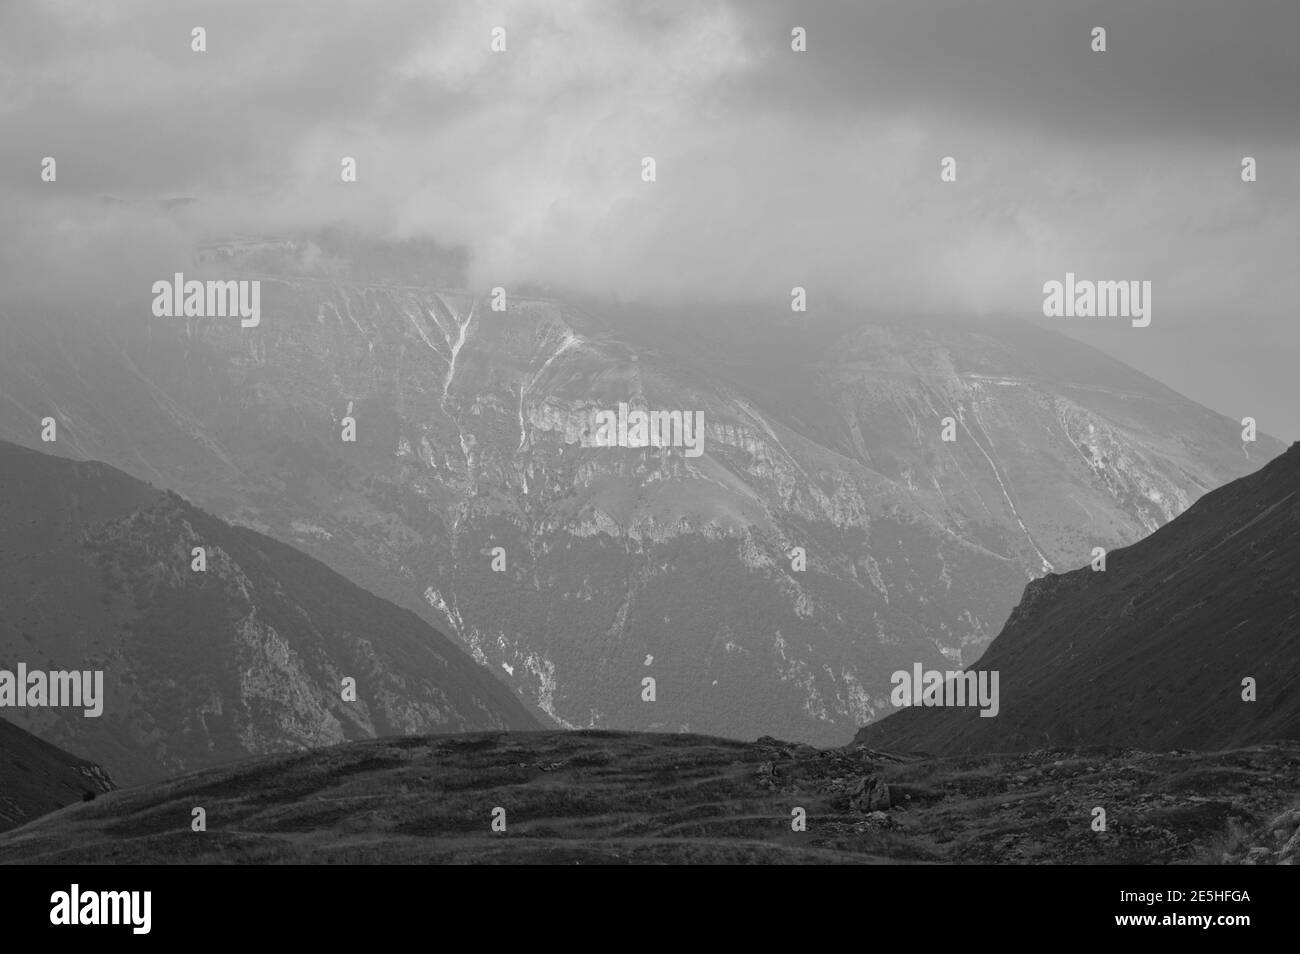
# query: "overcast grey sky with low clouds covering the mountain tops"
{"type": "Point", "coordinates": [774, 168]}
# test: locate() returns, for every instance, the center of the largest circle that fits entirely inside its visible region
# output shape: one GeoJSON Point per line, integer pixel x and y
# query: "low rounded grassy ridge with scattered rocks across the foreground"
{"type": "Point", "coordinates": [595, 797]}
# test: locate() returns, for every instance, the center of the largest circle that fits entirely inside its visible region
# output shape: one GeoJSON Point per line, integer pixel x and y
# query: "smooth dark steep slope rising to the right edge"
{"type": "Point", "coordinates": [1152, 652]}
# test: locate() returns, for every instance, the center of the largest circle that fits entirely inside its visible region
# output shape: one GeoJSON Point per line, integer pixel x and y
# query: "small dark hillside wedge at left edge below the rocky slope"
{"type": "Point", "coordinates": [37, 778]}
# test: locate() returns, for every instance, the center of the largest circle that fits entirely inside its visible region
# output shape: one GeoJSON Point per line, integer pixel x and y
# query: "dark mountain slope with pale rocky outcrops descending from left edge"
{"type": "Point", "coordinates": [206, 666]}
